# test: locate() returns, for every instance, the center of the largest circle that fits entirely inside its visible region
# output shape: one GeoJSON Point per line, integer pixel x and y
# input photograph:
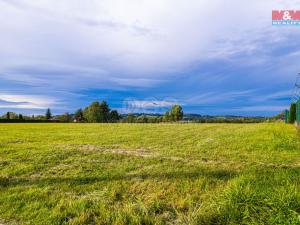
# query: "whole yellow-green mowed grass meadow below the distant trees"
{"type": "Point", "coordinates": [149, 174]}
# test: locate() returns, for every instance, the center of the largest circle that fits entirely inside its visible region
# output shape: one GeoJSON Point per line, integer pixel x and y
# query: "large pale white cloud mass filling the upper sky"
{"type": "Point", "coordinates": [171, 34]}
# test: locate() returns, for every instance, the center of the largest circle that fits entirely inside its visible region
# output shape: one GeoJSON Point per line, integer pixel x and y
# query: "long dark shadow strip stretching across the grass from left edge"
{"type": "Point", "coordinates": [223, 175]}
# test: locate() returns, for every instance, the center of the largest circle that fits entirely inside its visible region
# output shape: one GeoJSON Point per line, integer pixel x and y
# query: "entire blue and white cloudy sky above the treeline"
{"type": "Point", "coordinates": [212, 57]}
